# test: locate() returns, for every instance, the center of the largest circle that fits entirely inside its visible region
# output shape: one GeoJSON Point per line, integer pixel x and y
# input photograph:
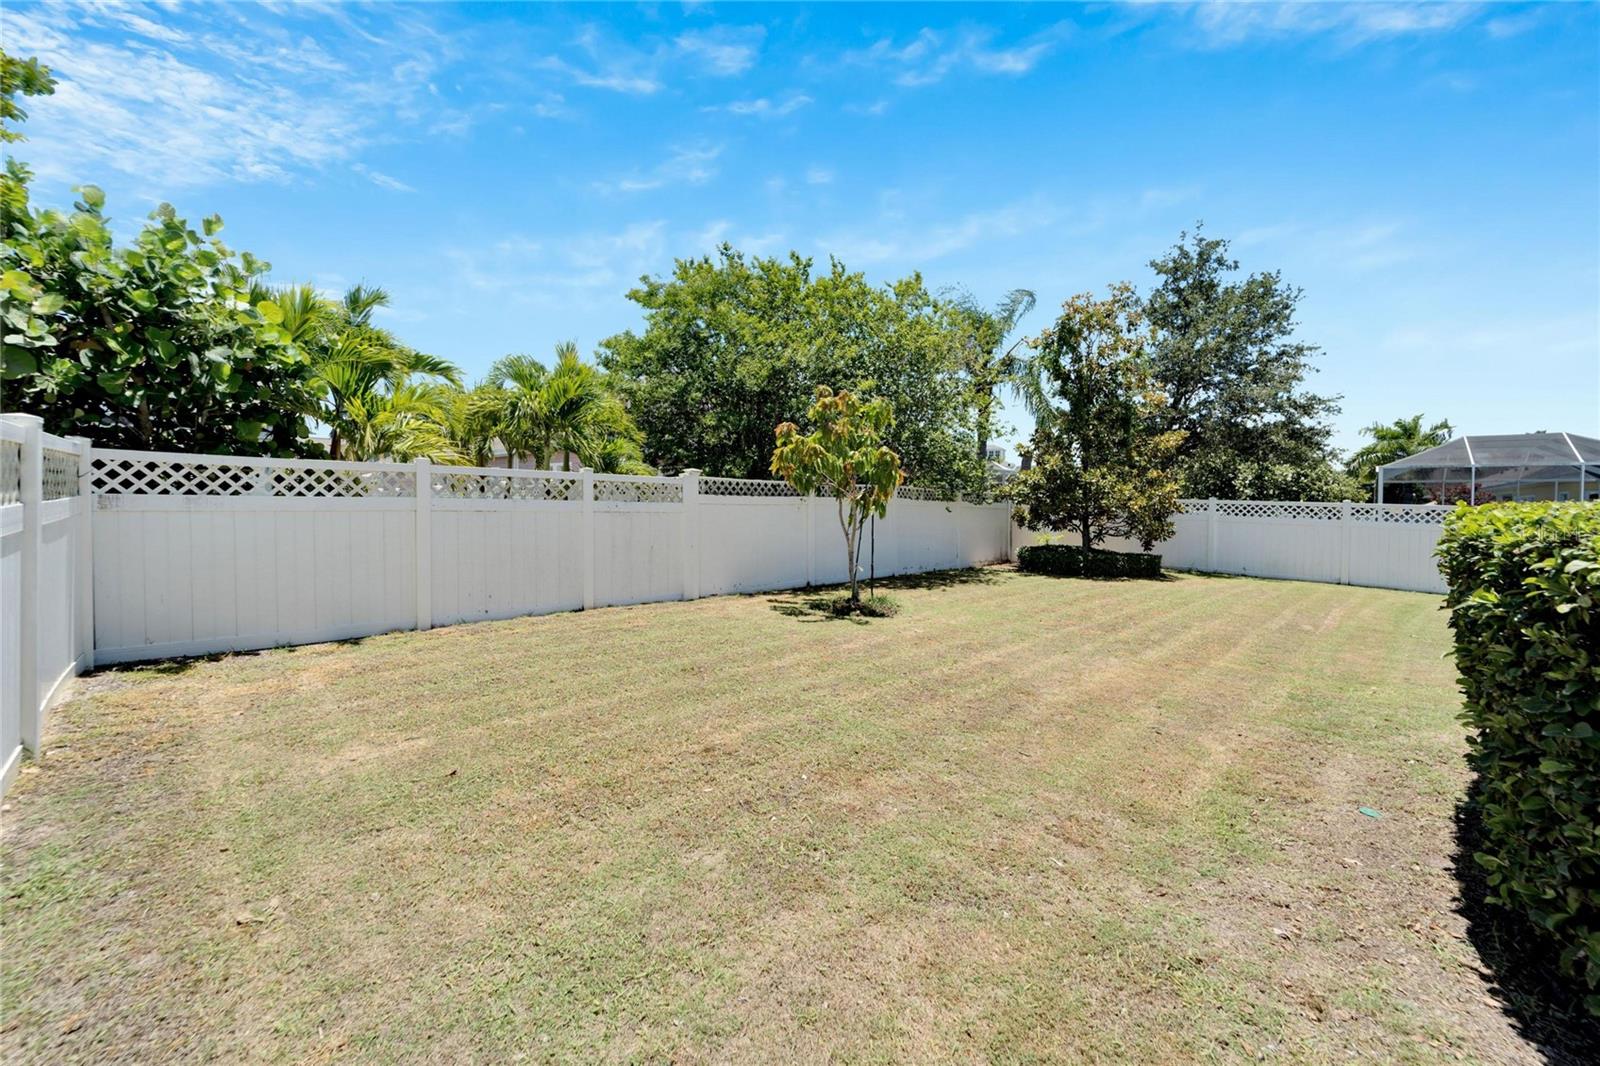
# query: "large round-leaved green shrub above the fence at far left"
{"type": "Point", "coordinates": [158, 345]}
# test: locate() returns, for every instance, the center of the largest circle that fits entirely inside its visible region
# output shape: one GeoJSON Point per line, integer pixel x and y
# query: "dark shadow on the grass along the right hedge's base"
{"type": "Point", "coordinates": [1546, 1008]}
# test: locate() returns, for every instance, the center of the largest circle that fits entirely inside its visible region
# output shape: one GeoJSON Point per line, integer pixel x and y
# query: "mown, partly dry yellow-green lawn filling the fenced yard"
{"type": "Point", "coordinates": [1023, 820]}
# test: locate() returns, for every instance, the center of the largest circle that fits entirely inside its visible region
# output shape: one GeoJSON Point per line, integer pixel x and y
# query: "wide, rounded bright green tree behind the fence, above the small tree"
{"type": "Point", "coordinates": [735, 347]}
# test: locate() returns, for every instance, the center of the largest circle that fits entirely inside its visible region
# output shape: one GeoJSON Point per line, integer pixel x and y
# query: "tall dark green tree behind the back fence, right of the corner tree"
{"type": "Point", "coordinates": [1226, 356]}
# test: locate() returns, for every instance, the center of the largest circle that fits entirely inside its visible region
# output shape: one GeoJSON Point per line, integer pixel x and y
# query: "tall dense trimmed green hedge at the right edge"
{"type": "Point", "coordinates": [1524, 582]}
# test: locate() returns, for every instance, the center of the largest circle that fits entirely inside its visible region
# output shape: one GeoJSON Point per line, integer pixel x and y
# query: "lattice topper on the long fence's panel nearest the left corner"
{"type": "Point", "coordinates": [113, 475]}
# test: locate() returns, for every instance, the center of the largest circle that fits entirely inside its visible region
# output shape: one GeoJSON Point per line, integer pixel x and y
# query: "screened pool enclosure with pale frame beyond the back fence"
{"type": "Point", "coordinates": [1482, 470]}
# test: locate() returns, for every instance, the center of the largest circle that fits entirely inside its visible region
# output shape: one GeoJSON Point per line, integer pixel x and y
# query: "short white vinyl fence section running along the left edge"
{"type": "Point", "coordinates": [46, 601]}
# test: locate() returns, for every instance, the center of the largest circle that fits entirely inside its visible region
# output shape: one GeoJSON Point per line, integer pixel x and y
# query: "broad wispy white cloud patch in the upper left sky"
{"type": "Point", "coordinates": [175, 106]}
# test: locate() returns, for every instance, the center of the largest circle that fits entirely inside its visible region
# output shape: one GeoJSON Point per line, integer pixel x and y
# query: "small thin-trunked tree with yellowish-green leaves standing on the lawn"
{"type": "Point", "coordinates": [844, 459]}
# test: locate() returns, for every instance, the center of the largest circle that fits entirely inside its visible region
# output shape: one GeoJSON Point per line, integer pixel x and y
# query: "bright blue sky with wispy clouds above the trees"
{"type": "Point", "coordinates": [1428, 174]}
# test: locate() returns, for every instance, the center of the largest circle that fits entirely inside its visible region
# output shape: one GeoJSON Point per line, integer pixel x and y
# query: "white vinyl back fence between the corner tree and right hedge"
{"type": "Point", "coordinates": [1388, 547]}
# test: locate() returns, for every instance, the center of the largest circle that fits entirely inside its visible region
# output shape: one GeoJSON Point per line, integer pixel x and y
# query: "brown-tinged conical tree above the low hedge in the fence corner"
{"type": "Point", "coordinates": [1102, 463]}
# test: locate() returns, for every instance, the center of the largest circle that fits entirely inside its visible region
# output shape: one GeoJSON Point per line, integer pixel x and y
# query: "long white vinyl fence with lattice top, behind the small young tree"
{"type": "Point", "coordinates": [199, 555]}
